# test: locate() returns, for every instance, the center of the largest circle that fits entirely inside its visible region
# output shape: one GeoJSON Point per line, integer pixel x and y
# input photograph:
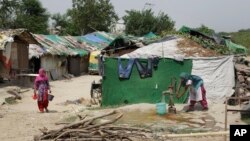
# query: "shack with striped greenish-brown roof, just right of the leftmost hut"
{"type": "Point", "coordinates": [61, 56]}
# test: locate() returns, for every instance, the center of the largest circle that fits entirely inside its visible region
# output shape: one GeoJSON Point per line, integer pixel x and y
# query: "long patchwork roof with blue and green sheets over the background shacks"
{"type": "Point", "coordinates": [74, 45]}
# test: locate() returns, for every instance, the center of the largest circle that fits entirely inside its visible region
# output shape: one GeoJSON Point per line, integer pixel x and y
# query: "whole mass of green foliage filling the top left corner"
{"type": "Point", "coordinates": [27, 14]}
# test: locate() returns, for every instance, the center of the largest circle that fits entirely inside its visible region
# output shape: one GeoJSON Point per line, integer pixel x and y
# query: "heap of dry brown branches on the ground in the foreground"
{"type": "Point", "coordinates": [89, 129]}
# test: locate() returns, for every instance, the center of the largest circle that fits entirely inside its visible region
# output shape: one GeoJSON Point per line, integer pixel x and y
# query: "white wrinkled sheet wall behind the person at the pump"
{"type": "Point", "coordinates": [218, 75]}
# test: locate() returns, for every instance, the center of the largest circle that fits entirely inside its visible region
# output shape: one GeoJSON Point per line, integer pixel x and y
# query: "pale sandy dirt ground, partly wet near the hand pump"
{"type": "Point", "coordinates": [21, 121]}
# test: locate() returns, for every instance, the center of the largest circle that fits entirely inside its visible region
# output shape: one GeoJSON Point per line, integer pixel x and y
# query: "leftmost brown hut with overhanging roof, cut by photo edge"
{"type": "Point", "coordinates": [14, 52]}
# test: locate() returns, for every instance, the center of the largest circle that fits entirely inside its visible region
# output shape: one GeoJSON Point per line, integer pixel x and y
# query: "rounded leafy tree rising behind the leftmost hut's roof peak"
{"type": "Point", "coordinates": [32, 16]}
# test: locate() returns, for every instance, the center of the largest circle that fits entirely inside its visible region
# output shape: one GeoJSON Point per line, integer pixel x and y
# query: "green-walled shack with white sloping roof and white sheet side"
{"type": "Point", "coordinates": [216, 70]}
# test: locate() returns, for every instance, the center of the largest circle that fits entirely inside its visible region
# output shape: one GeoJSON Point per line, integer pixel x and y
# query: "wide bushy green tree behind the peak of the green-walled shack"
{"type": "Point", "coordinates": [142, 22]}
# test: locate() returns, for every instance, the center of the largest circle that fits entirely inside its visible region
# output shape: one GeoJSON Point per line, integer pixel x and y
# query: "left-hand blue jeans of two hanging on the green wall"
{"type": "Point", "coordinates": [124, 73]}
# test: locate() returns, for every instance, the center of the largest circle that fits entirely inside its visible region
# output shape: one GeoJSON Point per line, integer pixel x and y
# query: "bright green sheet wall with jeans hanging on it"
{"type": "Point", "coordinates": [137, 90]}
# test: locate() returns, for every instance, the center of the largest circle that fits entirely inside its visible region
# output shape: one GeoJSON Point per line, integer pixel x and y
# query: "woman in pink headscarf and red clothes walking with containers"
{"type": "Point", "coordinates": [42, 87]}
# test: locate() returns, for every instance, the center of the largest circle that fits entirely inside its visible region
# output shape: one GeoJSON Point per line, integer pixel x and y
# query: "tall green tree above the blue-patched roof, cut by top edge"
{"type": "Point", "coordinates": [91, 15]}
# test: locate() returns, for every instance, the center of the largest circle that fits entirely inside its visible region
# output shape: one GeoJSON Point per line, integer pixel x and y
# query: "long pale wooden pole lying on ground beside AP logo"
{"type": "Point", "coordinates": [198, 134]}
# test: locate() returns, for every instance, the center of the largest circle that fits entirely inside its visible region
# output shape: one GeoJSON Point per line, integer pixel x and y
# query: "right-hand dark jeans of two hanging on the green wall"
{"type": "Point", "coordinates": [144, 71]}
